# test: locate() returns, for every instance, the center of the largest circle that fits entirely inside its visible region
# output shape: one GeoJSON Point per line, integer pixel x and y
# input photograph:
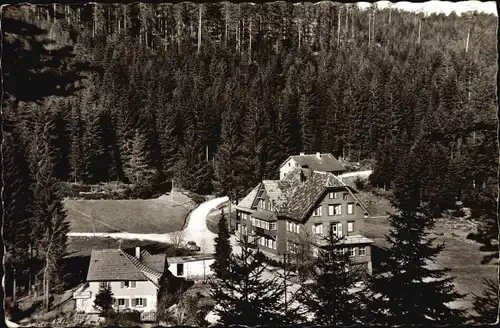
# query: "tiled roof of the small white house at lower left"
{"type": "Point", "coordinates": [115, 264]}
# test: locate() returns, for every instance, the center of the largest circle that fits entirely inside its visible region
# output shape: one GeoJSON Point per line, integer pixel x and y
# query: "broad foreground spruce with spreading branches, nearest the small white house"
{"type": "Point", "coordinates": [247, 297]}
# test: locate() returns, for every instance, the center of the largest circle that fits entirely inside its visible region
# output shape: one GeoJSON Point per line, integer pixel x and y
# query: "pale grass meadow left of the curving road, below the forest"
{"type": "Point", "coordinates": [157, 216]}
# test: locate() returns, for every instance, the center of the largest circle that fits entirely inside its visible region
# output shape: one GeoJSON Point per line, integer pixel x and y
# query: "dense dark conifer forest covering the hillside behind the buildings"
{"type": "Point", "coordinates": [216, 96]}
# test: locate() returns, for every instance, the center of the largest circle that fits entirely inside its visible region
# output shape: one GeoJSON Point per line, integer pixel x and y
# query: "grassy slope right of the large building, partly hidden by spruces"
{"type": "Point", "coordinates": [462, 257]}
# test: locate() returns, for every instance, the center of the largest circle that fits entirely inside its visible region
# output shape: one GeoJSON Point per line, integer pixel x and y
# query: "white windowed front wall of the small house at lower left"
{"type": "Point", "coordinates": [143, 289]}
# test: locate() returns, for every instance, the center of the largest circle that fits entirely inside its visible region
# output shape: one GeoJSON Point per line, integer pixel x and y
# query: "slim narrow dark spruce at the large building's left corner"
{"type": "Point", "coordinates": [223, 249]}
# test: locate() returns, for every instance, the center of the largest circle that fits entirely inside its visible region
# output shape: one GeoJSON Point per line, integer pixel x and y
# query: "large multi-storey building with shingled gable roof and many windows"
{"type": "Point", "coordinates": [297, 212]}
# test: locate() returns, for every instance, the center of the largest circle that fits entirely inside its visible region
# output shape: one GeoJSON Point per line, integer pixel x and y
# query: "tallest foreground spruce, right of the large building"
{"type": "Point", "coordinates": [407, 288]}
